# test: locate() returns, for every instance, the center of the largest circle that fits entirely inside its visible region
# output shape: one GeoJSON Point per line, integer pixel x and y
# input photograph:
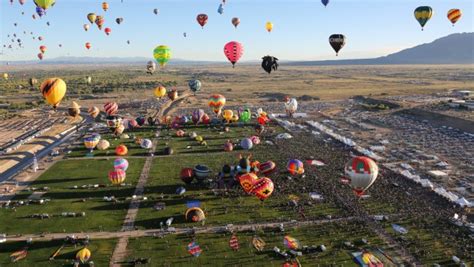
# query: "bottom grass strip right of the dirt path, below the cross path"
{"type": "Point", "coordinates": [171, 250]}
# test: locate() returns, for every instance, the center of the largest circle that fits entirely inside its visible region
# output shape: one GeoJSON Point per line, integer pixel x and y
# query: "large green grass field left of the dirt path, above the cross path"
{"type": "Point", "coordinates": [100, 215]}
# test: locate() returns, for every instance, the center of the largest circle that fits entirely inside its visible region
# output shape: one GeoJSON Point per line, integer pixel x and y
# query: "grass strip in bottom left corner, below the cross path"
{"type": "Point", "coordinates": [39, 252]}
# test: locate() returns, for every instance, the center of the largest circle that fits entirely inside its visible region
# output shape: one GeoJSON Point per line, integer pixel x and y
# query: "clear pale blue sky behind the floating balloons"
{"type": "Point", "coordinates": [301, 28]}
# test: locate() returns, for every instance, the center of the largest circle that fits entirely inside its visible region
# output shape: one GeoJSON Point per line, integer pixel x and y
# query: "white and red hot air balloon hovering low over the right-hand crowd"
{"type": "Point", "coordinates": [362, 172]}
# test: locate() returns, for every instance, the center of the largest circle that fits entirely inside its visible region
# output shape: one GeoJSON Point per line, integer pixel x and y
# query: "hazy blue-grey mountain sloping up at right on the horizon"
{"type": "Point", "coordinates": [456, 48]}
